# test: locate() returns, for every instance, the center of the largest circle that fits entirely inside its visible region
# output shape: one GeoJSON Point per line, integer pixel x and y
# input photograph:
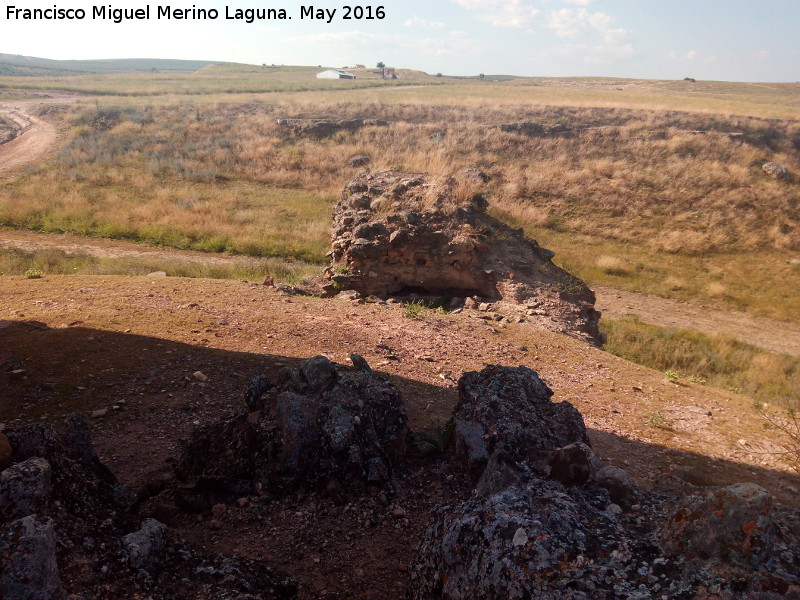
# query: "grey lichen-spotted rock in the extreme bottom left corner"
{"type": "Point", "coordinates": [28, 565]}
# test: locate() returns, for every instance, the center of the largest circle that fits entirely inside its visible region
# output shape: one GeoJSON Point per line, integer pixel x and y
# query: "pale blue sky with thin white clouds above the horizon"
{"type": "Point", "coordinates": [729, 40]}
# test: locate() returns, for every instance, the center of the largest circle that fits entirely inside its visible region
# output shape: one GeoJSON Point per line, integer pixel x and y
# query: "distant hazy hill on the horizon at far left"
{"type": "Point", "coordinates": [16, 65]}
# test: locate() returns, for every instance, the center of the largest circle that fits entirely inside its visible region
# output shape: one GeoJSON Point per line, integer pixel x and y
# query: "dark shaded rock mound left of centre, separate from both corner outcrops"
{"type": "Point", "coordinates": [321, 427]}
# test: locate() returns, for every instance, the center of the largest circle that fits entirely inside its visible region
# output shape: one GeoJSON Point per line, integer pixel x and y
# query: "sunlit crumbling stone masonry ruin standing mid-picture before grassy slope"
{"type": "Point", "coordinates": [397, 234]}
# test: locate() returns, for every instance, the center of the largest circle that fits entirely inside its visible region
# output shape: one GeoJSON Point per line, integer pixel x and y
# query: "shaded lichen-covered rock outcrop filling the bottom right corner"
{"type": "Point", "coordinates": [550, 521]}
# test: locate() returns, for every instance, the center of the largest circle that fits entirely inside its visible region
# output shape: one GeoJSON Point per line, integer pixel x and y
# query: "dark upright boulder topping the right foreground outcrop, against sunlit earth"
{"type": "Point", "coordinates": [509, 409]}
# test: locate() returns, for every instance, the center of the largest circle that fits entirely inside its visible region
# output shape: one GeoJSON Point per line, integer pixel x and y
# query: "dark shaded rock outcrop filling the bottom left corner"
{"type": "Point", "coordinates": [67, 527]}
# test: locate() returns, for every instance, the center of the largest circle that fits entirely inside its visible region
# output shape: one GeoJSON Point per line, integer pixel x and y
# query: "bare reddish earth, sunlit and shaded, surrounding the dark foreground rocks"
{"type": "Point", "coordinates": [131, 345]}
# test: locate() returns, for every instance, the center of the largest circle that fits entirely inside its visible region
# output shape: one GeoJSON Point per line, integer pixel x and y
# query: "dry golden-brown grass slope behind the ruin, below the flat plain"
{"type": "Point", "coordinates": [665, 202]}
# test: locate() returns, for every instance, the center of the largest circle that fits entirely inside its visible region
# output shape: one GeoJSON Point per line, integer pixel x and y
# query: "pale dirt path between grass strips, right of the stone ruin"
{"type": "Point", "coordinates": [767, 333]}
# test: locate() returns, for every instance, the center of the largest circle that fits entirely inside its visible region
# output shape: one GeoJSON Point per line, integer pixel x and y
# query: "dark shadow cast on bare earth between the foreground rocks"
{"type": "Point", "coordinates": [145, 394]}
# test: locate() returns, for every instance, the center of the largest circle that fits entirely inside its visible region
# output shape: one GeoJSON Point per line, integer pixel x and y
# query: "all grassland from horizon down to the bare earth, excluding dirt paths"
{"type": "Point", "coordinates": [643, 185]}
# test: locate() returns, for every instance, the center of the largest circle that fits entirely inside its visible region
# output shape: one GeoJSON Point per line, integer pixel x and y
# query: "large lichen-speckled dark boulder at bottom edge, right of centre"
{"type": "Point", "coordinates": [537, 541]}
